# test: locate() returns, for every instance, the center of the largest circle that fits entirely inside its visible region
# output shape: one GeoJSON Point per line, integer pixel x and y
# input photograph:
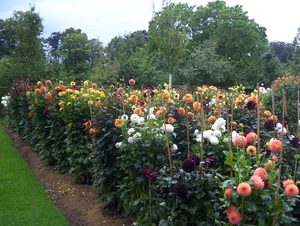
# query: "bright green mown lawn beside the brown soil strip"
{"type": "Point", "coordinates": [23, 200]}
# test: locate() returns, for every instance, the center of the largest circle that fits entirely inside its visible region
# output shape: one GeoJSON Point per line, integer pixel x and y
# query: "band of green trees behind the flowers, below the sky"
{"type": "Point", "coordinates": [213, 44]}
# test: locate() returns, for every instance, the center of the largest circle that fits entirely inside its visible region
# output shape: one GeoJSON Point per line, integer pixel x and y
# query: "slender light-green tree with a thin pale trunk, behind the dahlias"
{"type": "Point", "coordinates": [168, 35]}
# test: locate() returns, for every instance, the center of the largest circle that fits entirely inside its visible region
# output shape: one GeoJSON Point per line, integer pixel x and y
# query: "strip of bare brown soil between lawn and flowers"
{"type": "Point", "coordinates": [78, 203]}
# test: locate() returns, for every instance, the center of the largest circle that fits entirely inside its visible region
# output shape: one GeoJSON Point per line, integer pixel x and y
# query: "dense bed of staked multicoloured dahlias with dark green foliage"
{"type": "Point", "coordinates": [172, 157]}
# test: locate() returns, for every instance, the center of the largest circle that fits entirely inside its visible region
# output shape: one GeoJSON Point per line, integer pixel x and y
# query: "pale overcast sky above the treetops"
{"type": "Point", "coordinates": [105, 19]}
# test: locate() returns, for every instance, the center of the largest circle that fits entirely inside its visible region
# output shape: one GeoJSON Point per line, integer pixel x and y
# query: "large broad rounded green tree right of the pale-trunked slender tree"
{"type": "Point", "coordinates": [239, 39]}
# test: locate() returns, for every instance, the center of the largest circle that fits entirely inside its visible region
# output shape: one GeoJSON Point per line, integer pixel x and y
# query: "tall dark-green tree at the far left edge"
{"type": "Point", "coordinates": [23, 46]}
